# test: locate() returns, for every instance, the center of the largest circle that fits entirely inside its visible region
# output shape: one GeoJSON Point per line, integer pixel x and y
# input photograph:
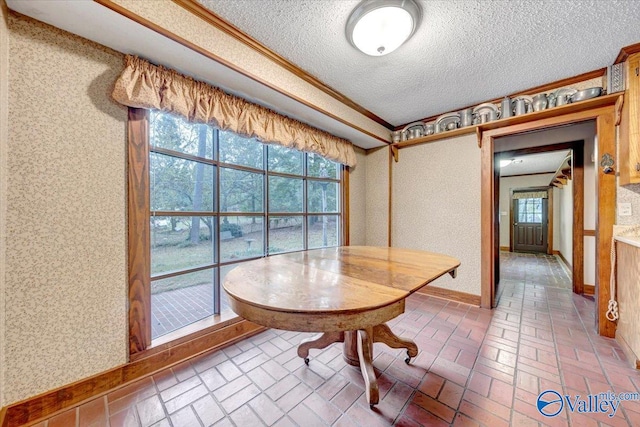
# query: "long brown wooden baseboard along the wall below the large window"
{"type": "Point", "coordinates": [47, 404]}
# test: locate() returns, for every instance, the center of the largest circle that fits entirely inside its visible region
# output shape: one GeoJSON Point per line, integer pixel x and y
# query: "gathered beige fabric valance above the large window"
{"type": "Point", "coordinates": [144, 85]}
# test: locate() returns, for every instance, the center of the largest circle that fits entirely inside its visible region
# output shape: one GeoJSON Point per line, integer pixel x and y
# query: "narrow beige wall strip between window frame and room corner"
{"type": "Point", "coordinates": [357, 200]}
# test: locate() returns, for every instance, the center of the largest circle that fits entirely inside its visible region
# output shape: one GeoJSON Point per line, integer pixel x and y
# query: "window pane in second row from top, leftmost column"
{"type": "Point", "coordinates": [180, 185]}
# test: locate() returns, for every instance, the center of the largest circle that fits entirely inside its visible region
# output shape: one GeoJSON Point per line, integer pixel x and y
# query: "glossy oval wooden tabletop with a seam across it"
{"type": "Point", "coordinates": [335, 280]}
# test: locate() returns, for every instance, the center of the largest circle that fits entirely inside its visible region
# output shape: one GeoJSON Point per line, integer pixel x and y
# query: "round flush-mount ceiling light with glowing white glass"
{"type": "Point", "coordinates": [378, 27]}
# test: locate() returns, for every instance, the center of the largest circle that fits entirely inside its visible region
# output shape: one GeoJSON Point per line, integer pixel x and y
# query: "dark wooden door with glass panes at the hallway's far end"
{"type": "Point", "coordinates": [530, 225]}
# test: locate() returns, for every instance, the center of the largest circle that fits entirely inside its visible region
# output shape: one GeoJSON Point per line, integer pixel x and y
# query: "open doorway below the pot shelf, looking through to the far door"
{"type": "Point", "coordinates": [533, 177]}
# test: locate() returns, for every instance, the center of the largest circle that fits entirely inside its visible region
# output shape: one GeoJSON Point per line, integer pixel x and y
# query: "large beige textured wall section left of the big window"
{"type": "Point", "coordinates": [66, 204]}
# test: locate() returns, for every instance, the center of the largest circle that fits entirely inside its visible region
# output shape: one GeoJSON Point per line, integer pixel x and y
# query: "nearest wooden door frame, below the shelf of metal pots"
{"type": "Point", "coordinates": [606, 118]}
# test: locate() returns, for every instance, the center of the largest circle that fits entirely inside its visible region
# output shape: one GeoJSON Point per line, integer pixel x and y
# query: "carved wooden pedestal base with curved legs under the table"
{"type": "Point", "coordinates": [358, 351]}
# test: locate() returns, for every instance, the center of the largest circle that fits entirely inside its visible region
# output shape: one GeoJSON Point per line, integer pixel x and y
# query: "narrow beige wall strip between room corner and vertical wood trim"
{"type": "Point", "coordinates": [377, 204]}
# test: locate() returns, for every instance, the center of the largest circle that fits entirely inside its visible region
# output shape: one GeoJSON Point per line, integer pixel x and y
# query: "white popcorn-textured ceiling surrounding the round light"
{"type": "Point", "coordinates": [465, 52]}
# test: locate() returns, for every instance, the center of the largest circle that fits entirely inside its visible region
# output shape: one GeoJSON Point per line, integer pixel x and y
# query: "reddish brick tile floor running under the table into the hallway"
{"type": "Point", "coordinates": [475, 368]}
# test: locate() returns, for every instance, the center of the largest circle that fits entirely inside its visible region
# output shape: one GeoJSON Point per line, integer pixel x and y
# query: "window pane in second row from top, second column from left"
{"type": "Point", "coordinates": [241, 191]}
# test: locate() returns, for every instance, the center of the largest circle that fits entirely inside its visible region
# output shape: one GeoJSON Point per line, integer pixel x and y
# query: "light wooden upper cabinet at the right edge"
{"type": "Point", "coordinates": [629, 157]}
